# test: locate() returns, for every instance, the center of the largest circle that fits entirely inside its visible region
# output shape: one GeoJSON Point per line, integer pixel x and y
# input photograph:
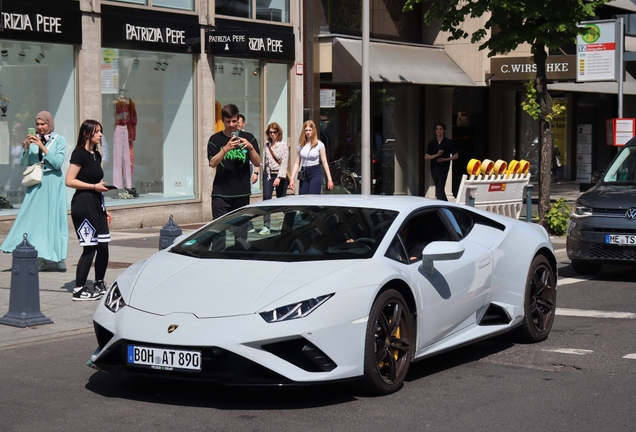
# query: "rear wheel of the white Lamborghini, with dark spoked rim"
{"type": "Point", "coordinates": [539, 301]}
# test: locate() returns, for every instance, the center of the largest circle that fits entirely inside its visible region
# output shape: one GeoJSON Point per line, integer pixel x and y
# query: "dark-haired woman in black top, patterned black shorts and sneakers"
{"type": "Point", "coordinates": [89, 214]}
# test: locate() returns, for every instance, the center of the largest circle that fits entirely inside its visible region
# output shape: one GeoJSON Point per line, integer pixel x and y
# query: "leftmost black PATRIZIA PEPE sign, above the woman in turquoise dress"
{"type": "Point", "coordinates": [39, 21]}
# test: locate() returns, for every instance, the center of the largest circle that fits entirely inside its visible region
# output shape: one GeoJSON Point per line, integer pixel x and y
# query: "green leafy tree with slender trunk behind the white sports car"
{"type": "Point", "coordinates": [540, 23]}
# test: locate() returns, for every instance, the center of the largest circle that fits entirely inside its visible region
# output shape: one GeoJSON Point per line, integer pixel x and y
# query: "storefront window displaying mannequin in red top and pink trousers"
{"type": "Point", "coordinates": [149, 142]}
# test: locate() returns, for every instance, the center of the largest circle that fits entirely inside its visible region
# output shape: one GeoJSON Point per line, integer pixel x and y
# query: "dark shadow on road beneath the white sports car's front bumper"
{"type": "Point", "coordinates": [198, 394]}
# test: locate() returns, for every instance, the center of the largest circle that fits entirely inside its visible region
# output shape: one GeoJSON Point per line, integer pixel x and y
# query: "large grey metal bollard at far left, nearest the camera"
{"type": "Point", "coordinates": [24, 297]}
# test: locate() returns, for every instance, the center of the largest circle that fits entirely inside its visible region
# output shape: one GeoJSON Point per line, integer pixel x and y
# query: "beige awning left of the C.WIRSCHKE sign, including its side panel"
{"type": "Point", "coordinates": [393, 63]}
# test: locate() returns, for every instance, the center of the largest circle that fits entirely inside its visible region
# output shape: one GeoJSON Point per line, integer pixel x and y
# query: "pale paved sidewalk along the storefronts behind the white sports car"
{"type": "Point", "coordinates": [127, 247]}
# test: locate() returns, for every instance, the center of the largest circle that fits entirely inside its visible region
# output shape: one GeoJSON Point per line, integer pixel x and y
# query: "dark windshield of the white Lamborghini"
{"type": "Point", "coordinates": [295, 234]}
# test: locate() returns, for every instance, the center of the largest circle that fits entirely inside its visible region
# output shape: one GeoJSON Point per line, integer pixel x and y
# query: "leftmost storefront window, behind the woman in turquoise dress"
{"type": "Point", "coordinates": [33, 78]}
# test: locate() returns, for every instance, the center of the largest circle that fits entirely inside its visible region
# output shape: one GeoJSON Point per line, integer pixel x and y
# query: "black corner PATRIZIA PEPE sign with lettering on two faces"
{"type": "Point", "coordinates": [241, 43]}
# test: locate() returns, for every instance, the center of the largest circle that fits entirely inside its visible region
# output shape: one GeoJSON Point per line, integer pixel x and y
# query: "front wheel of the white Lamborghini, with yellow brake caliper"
{"type": "Point", "coordinates": [388, 344]}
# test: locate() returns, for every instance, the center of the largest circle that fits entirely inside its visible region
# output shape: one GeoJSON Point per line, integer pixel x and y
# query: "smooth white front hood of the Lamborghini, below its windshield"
{"type": "Point", "coordinates": [210, 288]}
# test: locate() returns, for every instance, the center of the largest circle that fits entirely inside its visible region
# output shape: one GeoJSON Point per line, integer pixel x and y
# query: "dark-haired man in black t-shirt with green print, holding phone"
{"type": "Point", "coordinates": [230, 152]}
